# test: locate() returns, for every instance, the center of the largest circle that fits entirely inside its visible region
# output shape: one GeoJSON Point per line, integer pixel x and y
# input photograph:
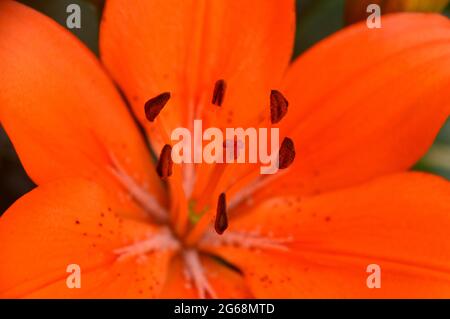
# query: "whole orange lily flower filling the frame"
{"type": "Point", "coordinates": [364, 106]}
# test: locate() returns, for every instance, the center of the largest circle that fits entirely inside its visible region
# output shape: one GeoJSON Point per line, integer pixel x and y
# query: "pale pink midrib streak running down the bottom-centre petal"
{"type": "Point", "coordinates": [196, 273]}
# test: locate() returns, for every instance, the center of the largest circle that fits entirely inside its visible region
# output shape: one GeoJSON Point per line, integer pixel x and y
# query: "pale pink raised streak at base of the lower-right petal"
{"type": "Point", "coordinates": [247, 240]}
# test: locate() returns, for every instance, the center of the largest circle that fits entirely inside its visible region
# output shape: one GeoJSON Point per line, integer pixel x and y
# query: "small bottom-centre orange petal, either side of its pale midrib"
{"type": "Point", "coordinates": [225, 282]}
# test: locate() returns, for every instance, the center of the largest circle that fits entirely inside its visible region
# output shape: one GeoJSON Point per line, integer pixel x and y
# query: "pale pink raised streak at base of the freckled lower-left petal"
{"type": "Point", "coordinates": [163, 240]}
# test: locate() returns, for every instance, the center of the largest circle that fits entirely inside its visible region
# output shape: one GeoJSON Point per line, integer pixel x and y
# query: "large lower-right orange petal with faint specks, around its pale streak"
{"type": "Point", "coordinates": [400, 223]}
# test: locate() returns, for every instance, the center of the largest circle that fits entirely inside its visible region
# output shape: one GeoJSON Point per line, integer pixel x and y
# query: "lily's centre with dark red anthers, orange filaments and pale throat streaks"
{"type": "Point", "coordinates": [192, 221]}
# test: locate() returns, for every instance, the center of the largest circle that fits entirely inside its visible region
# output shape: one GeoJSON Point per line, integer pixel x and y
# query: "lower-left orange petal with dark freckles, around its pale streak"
{"type": "Point", "coordinates": [75, 222]}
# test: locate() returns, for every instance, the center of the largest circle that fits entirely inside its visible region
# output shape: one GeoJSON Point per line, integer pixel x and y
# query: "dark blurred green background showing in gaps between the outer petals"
{"type": "Point", "coordinates": [316, 19]}
